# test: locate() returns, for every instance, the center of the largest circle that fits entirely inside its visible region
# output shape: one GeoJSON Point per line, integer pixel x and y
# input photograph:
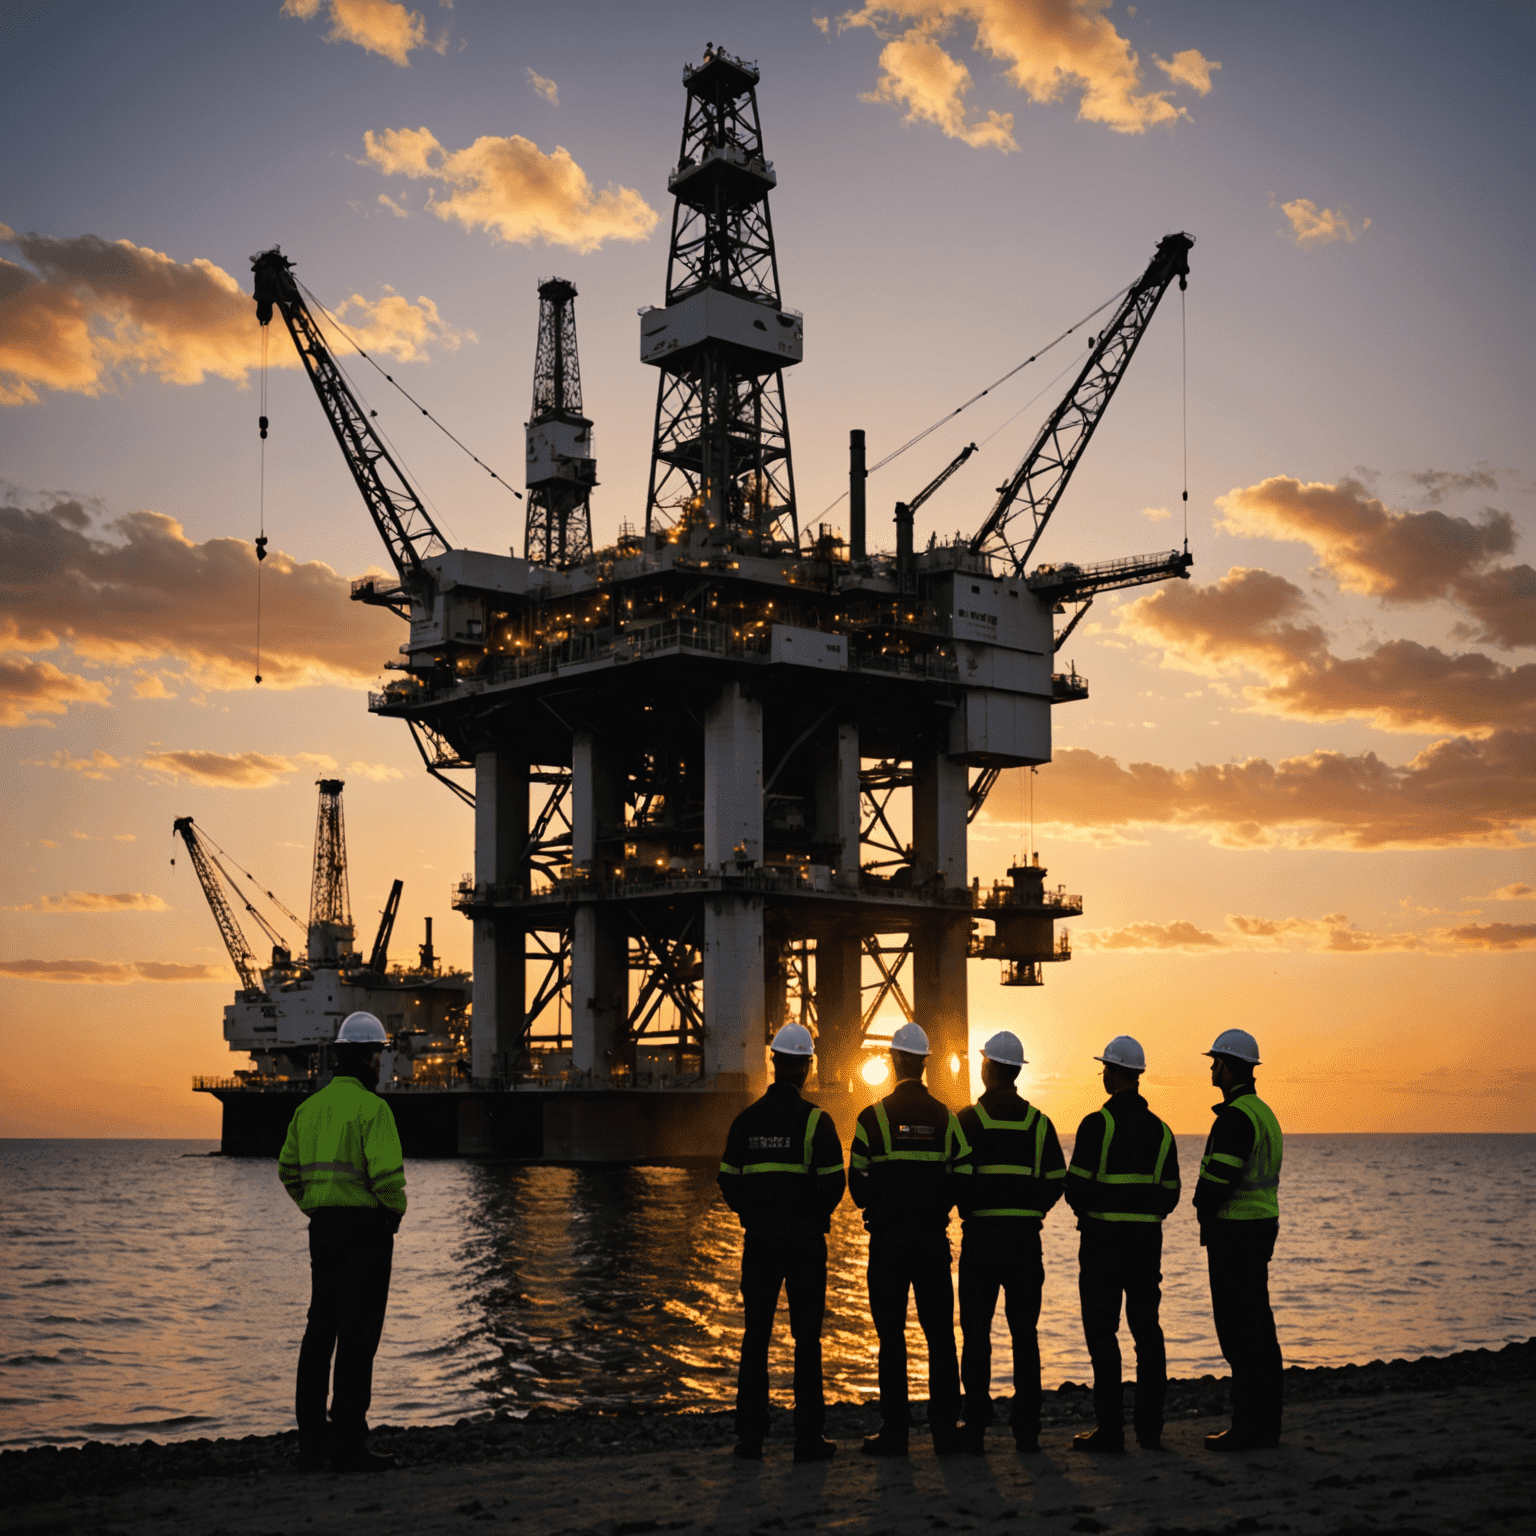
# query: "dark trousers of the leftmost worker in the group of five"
{"type": "Point", "coordinates": [799, 1268]}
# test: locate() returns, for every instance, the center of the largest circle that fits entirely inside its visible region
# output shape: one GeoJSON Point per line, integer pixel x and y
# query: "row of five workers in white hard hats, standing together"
{"type": "Point", "coordinates": [999, 1162]}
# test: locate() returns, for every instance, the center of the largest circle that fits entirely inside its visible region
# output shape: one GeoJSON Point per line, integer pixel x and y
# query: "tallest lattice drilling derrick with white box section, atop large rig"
{"type": "Point", "coordinates": [721, 469]}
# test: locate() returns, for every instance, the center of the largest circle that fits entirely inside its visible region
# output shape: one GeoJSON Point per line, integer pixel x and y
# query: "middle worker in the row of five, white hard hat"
{"type": "Point", "coordinates": [1013, 1179]}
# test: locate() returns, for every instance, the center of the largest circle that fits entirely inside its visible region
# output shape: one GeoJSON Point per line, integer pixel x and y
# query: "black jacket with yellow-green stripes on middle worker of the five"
{"type": "Point", "coordinates": [1016, 1170]}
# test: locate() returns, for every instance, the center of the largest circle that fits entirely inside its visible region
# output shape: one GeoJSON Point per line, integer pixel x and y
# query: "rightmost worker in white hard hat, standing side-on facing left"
{"type": "Point", "coordinates": [1237, 1200]}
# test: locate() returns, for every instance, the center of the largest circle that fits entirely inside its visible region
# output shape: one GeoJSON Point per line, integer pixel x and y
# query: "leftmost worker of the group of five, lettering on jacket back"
{"type": "Point", "coordinates": [783, 1174]}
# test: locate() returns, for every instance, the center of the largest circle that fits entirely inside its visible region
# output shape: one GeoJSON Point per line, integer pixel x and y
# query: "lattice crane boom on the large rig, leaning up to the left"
{"type": "Point", "coordinates": [399, 514]}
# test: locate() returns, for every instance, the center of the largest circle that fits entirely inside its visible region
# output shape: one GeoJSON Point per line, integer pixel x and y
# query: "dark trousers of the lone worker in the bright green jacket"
{"type": "Point", "coordinates": [349, 1263]}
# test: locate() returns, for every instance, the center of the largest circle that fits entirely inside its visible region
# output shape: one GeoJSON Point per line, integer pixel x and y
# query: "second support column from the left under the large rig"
{"type": "Point", "coordinates": [600, 947]}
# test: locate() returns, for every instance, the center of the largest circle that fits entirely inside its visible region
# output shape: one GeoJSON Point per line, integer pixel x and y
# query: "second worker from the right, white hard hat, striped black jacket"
{"type": "Point", "coordinates": [1124, 1180]}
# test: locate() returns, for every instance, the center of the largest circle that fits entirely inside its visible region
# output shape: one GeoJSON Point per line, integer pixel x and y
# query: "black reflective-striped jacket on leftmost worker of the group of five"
{"type": "Point", "coordinates": [783, 1173]}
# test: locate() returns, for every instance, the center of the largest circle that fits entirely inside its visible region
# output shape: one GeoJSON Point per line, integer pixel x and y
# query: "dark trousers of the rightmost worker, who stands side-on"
{"type": "Point", "coordinates": [1239, 1265]}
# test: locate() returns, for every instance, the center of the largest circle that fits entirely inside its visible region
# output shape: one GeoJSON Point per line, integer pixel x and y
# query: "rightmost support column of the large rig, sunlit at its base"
{"type": "Point", "coordinates": [939, 950]}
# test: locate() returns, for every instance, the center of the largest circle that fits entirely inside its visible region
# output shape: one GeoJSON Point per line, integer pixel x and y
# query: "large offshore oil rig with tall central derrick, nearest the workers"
{"type": "Point", "coordinates": [723, 769]}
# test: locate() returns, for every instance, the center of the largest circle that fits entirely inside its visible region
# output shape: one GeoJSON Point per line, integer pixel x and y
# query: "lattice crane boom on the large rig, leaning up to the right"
{"type": "Point", "coordinates": [1042, 478]}
